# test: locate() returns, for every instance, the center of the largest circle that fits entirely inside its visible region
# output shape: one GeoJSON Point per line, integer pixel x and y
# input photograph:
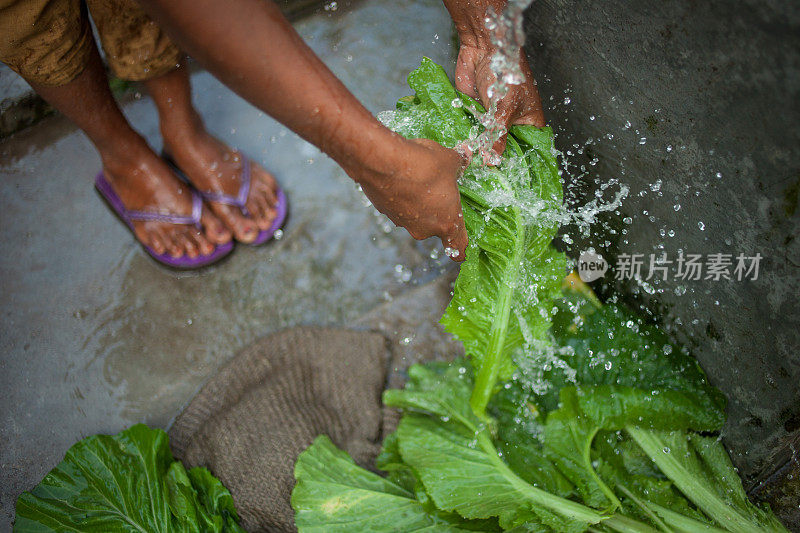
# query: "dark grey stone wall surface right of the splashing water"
{"type": "Point", "coordinates": [711, 92]}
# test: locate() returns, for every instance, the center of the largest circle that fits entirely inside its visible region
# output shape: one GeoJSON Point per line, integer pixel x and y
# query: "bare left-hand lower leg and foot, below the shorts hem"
{"type": "Point", "coordinates": [140, 178]}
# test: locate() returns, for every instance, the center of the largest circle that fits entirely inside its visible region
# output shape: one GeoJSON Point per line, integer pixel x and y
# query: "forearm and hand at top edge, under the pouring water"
{"type": "Point", "coordinates": [522, 104]}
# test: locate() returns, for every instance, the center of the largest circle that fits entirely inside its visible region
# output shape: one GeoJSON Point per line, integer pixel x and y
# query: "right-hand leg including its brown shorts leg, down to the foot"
{"type": "Point", "coordinates": [137, 49]}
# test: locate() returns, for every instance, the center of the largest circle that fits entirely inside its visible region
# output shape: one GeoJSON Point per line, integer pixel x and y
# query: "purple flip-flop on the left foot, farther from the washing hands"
{"type": "Point", "coordinates": [129, 215]}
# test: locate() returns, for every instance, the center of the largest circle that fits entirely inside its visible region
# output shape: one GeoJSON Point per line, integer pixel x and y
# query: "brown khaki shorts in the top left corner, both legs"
{"type": "Point", "coordinates": [48, 42]}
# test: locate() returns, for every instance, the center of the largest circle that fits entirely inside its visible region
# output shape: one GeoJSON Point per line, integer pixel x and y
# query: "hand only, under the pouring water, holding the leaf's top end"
{"type": "Point", "coordinates": [521, 105]}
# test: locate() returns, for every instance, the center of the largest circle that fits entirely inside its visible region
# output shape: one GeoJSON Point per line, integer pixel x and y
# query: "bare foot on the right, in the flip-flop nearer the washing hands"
{"type": "Point", "coordinates": [214, 167]}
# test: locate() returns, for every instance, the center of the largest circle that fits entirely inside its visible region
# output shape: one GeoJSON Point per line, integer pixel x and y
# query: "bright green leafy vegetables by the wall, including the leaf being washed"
{"type": "Point", "coordinates": [567, 416]}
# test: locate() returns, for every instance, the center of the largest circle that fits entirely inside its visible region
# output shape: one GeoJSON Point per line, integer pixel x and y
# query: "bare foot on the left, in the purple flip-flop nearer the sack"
{"type": "Point", "coordinates": [144, 182]}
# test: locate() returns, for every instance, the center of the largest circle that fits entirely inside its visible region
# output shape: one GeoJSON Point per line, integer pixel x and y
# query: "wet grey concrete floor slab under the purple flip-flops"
{"type": "Point", "coordinates": [94, 336]}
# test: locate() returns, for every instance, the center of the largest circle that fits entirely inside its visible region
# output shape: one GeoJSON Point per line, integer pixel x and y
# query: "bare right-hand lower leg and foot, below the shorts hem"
{"type": "Point", "coordinates": [211, 165]}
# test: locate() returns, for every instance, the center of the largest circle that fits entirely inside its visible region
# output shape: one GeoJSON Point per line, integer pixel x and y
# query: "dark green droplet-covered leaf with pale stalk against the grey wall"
{"type": "Point", "coordinates": [628, 376]}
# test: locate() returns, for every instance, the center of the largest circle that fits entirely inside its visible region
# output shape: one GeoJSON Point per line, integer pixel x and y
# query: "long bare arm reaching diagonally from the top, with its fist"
{"type": "Point", "coordinates": [250, 47]}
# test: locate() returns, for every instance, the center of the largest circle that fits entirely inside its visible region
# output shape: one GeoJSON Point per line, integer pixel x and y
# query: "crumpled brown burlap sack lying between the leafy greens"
{"type": "Point", "coordinates": [249, 423]}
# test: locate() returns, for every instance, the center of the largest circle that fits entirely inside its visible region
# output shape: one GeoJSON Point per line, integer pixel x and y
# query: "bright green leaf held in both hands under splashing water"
{"type": "Point", "coordinates": [504, 292]}
